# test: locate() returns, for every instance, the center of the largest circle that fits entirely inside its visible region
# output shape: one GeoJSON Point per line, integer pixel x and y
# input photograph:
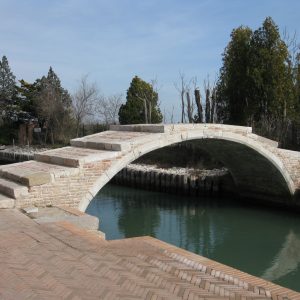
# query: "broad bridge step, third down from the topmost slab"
{"type": "Point", "coordinates": [74, 156]}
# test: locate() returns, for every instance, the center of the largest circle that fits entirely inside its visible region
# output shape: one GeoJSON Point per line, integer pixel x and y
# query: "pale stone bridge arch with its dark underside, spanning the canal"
{"type": "Point", "coordinates": [256, 167]}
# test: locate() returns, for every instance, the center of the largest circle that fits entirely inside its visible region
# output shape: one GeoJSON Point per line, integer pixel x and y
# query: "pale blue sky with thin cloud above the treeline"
{"type": "Point", "coordinates": [111, 41]}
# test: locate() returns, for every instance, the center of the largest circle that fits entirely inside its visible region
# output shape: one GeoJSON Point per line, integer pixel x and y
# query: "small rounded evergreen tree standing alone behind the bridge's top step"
{"type": "Point", "coordinates": [141, 104]}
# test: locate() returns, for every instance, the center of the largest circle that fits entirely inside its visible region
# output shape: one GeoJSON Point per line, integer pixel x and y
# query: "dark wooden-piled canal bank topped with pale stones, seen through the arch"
{"type": "Point", "coordinates": [177, 180]}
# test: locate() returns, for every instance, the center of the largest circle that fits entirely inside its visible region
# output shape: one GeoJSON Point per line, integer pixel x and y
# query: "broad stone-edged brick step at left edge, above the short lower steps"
{"type": "Point", "coordinates": [33, 173]}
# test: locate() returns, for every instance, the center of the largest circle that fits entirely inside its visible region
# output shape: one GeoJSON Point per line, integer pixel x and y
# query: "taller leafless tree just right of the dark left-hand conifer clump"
{"type": "Point", "coordinates": [83, 101]}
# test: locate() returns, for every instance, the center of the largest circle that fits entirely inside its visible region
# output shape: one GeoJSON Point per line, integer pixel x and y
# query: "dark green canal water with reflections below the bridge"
{"type": "Point", "coordinates": [260, 241]}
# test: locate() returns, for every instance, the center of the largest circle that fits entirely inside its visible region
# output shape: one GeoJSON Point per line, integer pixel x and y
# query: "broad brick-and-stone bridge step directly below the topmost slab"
{"type": "Point", "coordinates": [112, 140]}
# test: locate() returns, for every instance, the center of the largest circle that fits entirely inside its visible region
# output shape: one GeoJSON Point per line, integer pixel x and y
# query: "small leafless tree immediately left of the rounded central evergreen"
{"type": "Point", "coordinates": [108, 108]}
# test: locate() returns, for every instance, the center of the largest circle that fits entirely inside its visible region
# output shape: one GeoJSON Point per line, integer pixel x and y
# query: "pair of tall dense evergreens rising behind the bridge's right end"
{"type": "Point", "coordinates": [256, 83]}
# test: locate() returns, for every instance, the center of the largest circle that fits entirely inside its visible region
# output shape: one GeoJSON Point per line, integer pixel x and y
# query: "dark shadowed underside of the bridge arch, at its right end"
{"type": "Point", "coordinates": [255, 176]}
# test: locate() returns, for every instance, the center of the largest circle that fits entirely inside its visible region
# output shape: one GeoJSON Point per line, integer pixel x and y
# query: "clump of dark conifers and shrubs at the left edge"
{"type": "Point", "coordinates": [44, 104]}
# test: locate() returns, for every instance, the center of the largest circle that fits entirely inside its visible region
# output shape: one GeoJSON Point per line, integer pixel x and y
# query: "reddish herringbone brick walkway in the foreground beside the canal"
{"type": "Point", "coordinates": [61, 261]}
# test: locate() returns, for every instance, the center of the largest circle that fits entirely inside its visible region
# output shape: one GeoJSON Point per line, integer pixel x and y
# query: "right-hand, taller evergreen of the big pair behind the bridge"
{"type": "Point", "coordinates": [271, 80]}
